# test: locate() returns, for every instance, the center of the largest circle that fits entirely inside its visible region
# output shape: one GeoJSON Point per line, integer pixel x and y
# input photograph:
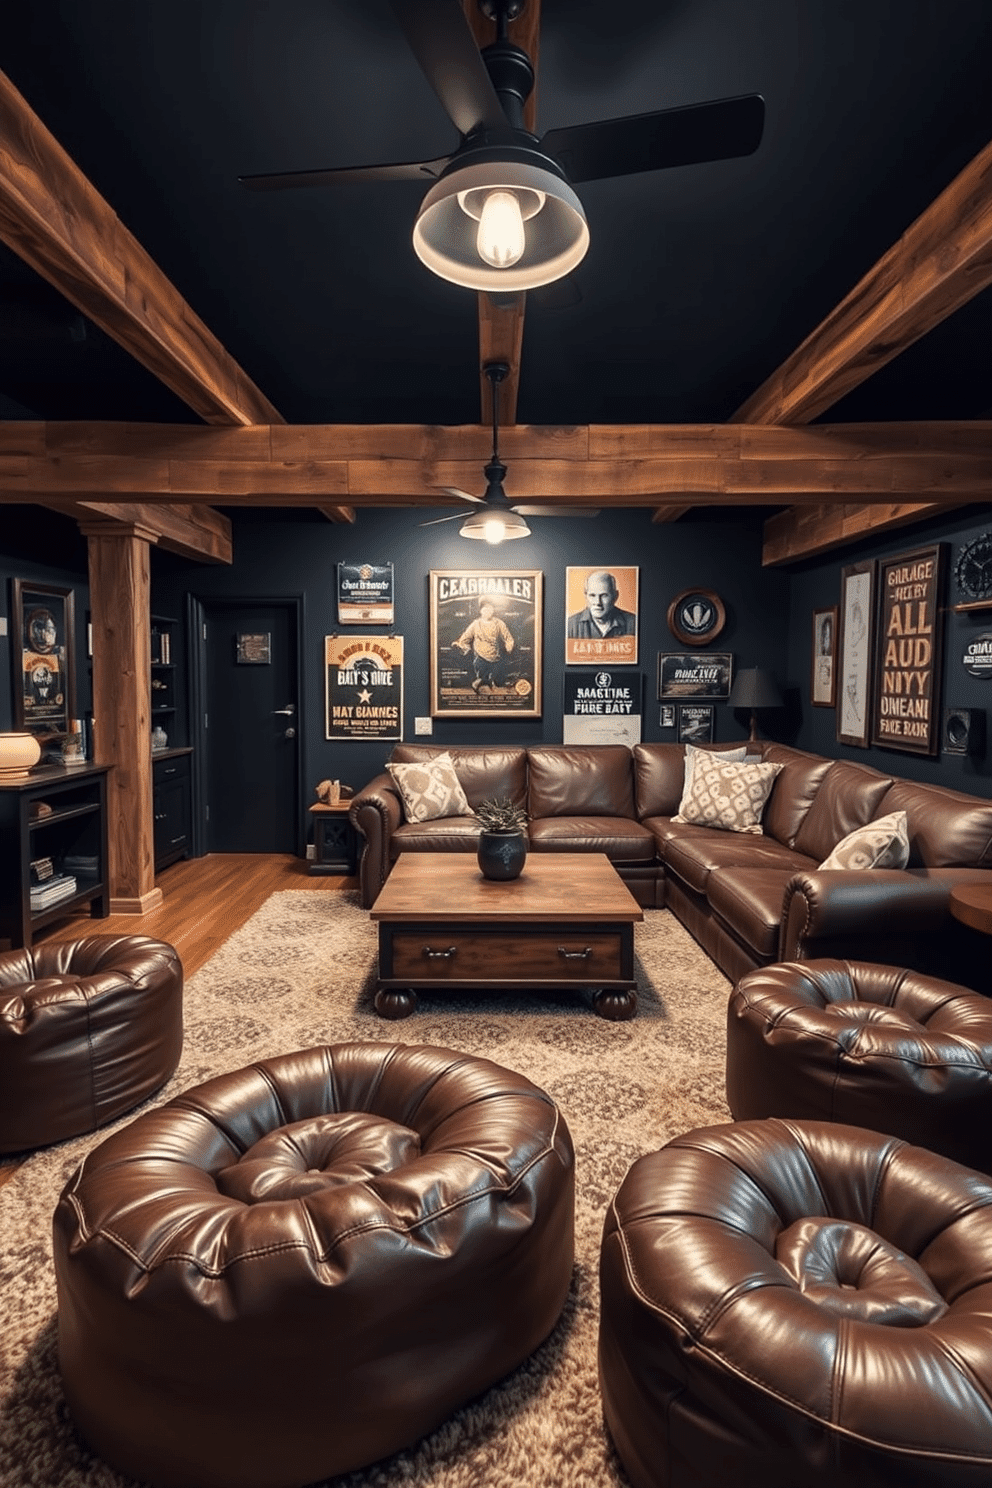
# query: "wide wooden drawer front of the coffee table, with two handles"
{"type": "Point", "coordinates": [459, 956]}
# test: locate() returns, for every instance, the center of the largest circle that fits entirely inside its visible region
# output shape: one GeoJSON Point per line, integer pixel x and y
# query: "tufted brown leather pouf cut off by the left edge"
{"type": "Point", "coordinates": [88, 1030]}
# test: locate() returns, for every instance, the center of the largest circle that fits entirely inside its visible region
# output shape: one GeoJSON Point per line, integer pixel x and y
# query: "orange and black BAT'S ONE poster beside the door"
{"type": "Point", "coordinates": [364, 687]}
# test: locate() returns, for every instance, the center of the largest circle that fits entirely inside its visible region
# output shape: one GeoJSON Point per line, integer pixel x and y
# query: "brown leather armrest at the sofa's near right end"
{"type": "Point", "coordinates": [877, 914]}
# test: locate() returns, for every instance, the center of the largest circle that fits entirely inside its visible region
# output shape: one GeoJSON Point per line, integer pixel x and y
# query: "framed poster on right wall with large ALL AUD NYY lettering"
{"type": "Point", "coordinates": [906, 688]}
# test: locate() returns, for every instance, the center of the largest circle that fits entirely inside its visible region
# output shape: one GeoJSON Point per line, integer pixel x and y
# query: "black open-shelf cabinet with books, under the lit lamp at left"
{"type": "Point", "coordinates": [54, 859]}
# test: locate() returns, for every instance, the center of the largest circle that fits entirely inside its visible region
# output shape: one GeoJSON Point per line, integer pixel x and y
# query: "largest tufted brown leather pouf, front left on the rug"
{"type": "Point", "coordinates": [303, 1267]}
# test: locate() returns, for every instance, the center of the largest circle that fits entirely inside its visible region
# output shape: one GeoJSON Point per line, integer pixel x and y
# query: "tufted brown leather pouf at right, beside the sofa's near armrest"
{"type": "Point", "coordinates": [871, 1045]}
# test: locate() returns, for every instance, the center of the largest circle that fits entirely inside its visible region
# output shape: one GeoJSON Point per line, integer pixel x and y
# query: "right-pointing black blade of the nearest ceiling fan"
{"type": "Point", "coordinates": [651, 142]}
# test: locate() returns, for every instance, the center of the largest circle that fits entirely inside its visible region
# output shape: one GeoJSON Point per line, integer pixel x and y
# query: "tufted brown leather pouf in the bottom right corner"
{"type": "Point", "coordinates": [799, 1306]}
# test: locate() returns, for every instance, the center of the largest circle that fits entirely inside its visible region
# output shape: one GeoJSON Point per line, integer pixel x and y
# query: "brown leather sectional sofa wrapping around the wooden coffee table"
{"type": "Point", "coordinates": [747, 899]}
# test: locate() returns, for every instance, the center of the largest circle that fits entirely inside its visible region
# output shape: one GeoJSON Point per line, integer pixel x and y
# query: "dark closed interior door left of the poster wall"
{"type": "Point", "coordinates": [251, 730]}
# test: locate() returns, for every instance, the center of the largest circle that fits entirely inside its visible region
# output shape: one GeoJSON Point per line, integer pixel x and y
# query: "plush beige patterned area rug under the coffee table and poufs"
{"type": "Point", "coordinates": [301, 972]}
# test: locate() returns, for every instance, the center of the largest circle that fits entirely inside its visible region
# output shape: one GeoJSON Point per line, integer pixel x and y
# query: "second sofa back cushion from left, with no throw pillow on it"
{"type": "Point", "coordinates": [585, 780]}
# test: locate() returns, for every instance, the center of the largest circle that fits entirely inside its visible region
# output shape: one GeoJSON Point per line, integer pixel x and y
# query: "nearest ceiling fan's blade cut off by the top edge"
{"type": "Point", "coordinates": [442, 42]}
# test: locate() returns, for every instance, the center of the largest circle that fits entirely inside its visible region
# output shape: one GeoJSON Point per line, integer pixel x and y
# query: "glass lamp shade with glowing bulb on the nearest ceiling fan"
{"type": "Point", "coordinates": [536, 237]}
